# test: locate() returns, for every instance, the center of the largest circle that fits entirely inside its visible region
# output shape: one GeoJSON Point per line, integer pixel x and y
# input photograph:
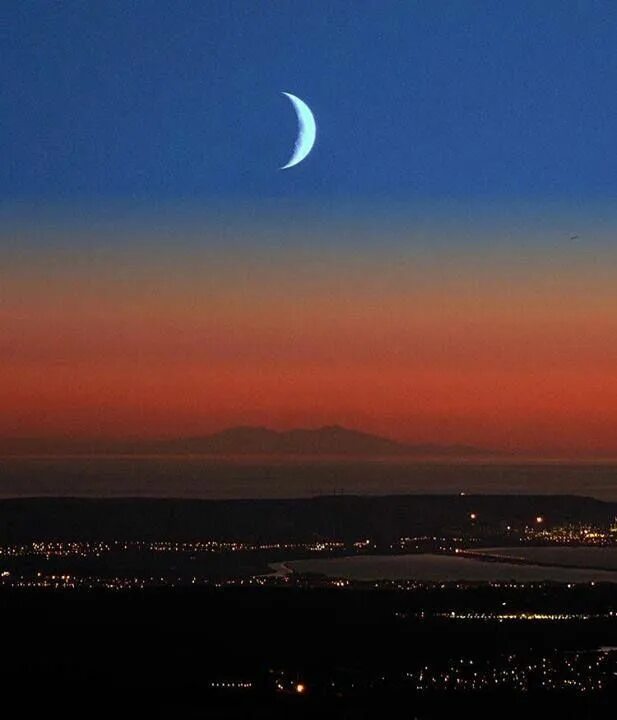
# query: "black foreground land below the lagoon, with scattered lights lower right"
{"type": "Point", "coordinates": [277, 652]}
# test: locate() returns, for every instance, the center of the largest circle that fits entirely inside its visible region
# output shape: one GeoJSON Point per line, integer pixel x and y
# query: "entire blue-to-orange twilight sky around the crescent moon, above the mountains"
{"type": "Point", "coordinates": [441, 268]}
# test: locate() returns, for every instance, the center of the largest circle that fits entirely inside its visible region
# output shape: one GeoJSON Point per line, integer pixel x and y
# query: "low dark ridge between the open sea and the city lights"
{"type": "Point", "coordinates": [344, 517]}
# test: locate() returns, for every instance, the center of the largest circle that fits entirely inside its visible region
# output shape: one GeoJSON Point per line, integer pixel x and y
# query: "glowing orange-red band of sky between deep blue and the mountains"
{"type": "Point", "coordinates": [416, 337]}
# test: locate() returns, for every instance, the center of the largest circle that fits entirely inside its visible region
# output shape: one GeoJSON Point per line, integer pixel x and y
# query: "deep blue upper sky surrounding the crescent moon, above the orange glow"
{"type": "Point", "coordinates": [163, 101]}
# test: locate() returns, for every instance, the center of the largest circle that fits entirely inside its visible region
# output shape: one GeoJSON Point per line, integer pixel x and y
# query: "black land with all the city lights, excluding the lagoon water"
{"type": "Point", "coordinates": [133, 606]}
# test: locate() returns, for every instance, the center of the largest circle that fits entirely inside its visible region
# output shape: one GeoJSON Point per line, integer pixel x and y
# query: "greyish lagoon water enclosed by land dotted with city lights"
{"type": "Point", "coordinates": [429, 567]}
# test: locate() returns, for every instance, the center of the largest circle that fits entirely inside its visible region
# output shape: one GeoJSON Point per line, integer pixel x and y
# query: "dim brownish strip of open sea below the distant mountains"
{"type": "Point", "coordinates": [207, 477]}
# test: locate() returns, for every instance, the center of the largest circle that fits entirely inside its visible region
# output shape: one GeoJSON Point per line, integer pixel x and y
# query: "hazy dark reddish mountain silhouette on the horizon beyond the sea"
{"type": "Point", "coordinates": [331, 440]}
